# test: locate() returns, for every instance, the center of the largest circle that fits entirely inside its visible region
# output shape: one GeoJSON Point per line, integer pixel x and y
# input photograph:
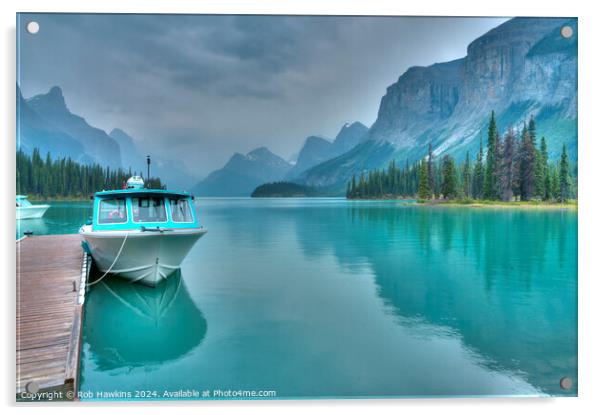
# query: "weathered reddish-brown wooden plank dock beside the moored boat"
{"type": "Point", "coordinates": [51, 278]}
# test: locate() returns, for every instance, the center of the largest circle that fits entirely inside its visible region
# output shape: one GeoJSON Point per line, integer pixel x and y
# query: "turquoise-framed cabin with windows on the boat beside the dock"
{"type": "Point", "coordinates": [139, 208]}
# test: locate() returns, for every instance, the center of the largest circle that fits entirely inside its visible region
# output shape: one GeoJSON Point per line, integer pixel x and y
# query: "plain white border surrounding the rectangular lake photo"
{"type": "Point", "coordinates": [590, 174]}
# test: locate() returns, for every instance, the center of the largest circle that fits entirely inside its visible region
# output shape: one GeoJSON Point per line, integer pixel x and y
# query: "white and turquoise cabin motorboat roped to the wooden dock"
{"type": "Point", "coordinates": [141, 234]}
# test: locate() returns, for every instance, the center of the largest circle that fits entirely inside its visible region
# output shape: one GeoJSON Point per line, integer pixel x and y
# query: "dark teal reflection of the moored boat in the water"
{"type": "Point", "coordinates": [132, 325]}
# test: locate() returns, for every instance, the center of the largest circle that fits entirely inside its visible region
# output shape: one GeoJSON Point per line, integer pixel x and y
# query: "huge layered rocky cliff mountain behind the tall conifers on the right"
{"type": "Point", "coordinates": [521, 68]}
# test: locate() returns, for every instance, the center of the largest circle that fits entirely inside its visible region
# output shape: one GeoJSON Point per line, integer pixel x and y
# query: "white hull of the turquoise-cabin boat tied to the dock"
{"type": "Point", "coordinates": [146, 257]}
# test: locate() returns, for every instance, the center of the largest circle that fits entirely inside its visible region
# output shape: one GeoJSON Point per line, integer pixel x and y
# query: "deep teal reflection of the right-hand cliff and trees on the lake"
{"type": "Point", "coordinates": [504, 282]}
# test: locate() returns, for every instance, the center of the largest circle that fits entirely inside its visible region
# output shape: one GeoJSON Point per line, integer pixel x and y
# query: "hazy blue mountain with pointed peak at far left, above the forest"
{"type": "Point", "coordinates": [52, 110]}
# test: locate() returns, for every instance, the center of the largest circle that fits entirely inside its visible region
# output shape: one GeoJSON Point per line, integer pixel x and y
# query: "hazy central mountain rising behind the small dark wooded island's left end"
{"type": "Point", "coordinates": [243, 173]}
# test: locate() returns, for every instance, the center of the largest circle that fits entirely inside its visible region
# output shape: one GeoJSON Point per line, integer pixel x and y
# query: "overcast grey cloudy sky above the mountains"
{"type": "Point", "coordinates": [196, 88]}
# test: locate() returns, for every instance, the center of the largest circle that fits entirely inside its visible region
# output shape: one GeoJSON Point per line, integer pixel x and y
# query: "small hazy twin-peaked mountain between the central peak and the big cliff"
{"type": "Point", "coordinates": [318, 149]}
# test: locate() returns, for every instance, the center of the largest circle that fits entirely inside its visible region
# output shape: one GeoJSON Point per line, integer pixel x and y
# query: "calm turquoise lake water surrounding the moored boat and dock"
{"type": "Point", "coordinates": [335, 298]}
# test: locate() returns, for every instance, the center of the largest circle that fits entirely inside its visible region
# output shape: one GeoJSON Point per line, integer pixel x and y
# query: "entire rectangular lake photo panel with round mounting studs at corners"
{"type": "Point", "coordinates": [295, 207]}
